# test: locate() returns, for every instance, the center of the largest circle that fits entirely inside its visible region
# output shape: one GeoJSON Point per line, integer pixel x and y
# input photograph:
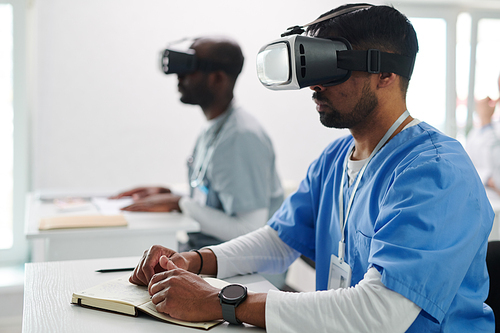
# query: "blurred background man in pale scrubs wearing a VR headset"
{"type": "Point", "coordinates": [235, 187]}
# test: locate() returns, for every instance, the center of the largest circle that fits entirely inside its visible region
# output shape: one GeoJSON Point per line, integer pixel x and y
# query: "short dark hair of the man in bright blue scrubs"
{"type": "Point", "coordinates": [376, 27]}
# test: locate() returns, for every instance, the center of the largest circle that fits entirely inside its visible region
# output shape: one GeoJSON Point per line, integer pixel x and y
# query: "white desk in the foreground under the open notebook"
{"type": "Point", "coordinates": [48, 288]}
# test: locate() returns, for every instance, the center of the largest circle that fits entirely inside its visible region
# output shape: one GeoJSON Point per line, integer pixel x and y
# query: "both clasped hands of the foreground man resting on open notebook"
{"type": "Point", "coordinates": [174, 288]}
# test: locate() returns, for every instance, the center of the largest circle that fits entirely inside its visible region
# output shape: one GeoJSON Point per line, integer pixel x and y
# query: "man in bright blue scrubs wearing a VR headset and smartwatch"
{"type": "Point", "coordinates": [394, 214]}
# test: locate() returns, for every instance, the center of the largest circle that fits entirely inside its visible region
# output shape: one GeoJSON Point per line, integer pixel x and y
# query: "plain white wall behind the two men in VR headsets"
{"type": "Point", "coordinates": [105, 117]}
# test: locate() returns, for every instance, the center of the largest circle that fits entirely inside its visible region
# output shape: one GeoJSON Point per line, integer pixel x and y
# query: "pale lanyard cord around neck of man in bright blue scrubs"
{"type": "Point", "coordinates": [343, 221]}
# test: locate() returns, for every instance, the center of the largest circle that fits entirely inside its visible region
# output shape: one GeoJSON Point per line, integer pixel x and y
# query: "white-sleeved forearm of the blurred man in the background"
{"type": "Point", "coordinates": [218, 224]}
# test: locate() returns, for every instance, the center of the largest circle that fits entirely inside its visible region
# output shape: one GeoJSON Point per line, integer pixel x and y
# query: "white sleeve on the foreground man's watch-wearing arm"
{"type": "Point", "coordinates": [367, 307]}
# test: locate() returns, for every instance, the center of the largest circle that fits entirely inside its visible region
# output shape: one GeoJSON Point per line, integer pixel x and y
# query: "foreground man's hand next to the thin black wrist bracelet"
{"type": "Point", "coordinates": [149, 264]}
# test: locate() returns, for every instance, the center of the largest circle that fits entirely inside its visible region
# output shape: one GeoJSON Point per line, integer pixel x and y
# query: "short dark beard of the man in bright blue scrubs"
{"type": "Point", "coordinates": [336, 119]}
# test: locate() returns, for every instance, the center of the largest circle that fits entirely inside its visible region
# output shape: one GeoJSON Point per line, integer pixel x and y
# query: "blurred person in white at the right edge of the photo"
{"type": "Point", "coordinates": [483, 144]}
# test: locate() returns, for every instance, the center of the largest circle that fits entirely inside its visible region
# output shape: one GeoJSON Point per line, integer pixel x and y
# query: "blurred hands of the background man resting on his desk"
{"type": "Point", "coordinates": [151, 199]}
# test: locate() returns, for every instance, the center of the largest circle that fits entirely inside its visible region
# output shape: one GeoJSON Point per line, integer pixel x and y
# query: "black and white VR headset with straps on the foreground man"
{"type": "Point", "coordinates": [294, 61]}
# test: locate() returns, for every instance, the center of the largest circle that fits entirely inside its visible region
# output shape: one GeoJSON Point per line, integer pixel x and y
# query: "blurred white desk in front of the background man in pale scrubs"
{"type": "Point", "coordinates": [143, 230]}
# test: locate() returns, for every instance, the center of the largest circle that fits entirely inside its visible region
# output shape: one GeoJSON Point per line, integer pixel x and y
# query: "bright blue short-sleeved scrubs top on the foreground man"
{"type": "Point", "coordinates": [420, 216]}
